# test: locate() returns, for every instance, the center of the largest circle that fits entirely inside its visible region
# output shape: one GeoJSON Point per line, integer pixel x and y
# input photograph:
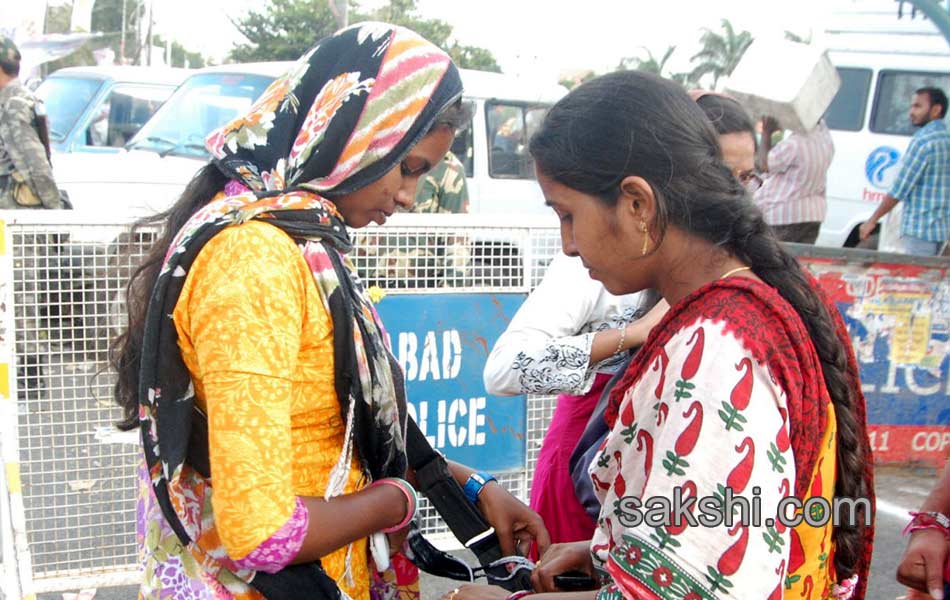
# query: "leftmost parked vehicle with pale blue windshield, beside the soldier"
{"type": "Point", "coordinates": [99, 109]}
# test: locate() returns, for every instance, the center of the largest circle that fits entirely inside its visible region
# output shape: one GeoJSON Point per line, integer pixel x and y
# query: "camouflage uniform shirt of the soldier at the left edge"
{"type": "Point", "coordinates": [21, 142]}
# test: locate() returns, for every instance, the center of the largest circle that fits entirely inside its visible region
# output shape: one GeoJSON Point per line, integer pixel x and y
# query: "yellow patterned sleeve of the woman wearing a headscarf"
{"type": "Point", "coordinates": [243, 321]}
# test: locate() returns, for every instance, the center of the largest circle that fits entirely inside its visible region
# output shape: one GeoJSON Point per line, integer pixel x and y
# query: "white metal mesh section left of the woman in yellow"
{"type": "Point", "coordinates": [78, 493]}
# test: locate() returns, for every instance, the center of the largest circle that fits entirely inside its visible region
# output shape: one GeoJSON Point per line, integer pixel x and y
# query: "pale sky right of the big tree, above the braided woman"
{"type": "Point", "coordinates": [596, 34]}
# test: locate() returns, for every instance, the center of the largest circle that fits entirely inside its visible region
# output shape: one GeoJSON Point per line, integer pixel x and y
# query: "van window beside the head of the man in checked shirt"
{"type": "Point", "coordinates": [892, 100]}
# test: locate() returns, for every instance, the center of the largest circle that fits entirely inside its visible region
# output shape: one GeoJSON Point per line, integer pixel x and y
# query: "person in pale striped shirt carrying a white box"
{"type": "Point", "coordinates": [794, 175]}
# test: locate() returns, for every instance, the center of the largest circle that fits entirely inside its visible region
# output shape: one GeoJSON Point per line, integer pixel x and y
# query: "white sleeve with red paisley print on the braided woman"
{"type": "Point", "coordinates": [696, 426]}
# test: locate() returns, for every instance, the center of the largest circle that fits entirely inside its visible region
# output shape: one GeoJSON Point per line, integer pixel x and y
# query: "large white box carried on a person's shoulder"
{"type": "Point", "coordinates": [794, 83]}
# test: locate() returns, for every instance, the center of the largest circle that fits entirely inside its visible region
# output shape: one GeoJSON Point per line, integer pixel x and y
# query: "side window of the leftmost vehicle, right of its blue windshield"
{"type": "Point", "coordinates": [120, 115]}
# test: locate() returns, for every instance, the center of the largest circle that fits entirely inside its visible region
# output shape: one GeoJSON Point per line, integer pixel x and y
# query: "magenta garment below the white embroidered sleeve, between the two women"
{"type": "Point", "coordinates": [552, 490]}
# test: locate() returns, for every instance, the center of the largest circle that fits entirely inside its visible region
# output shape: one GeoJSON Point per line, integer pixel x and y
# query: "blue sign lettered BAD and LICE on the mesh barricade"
{"type": "Point", "coordinates": [442, 342]}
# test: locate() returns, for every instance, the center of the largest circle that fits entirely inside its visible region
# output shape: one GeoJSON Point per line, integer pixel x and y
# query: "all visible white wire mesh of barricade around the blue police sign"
{"type": "Point", "coordinates": [78, 483]}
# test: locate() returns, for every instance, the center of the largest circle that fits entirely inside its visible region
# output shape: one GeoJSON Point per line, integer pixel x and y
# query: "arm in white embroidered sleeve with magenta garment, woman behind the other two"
{"type": "Point", "coordinates": [568, 338]}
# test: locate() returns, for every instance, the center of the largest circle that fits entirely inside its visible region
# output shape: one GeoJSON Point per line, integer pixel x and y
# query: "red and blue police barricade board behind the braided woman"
{"type": "Point", "coordinates": [898, 316]}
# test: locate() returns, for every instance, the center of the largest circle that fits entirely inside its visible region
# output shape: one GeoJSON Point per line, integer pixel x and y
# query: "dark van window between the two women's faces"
{"type": "Point", "coordinates": [510, 126]}
